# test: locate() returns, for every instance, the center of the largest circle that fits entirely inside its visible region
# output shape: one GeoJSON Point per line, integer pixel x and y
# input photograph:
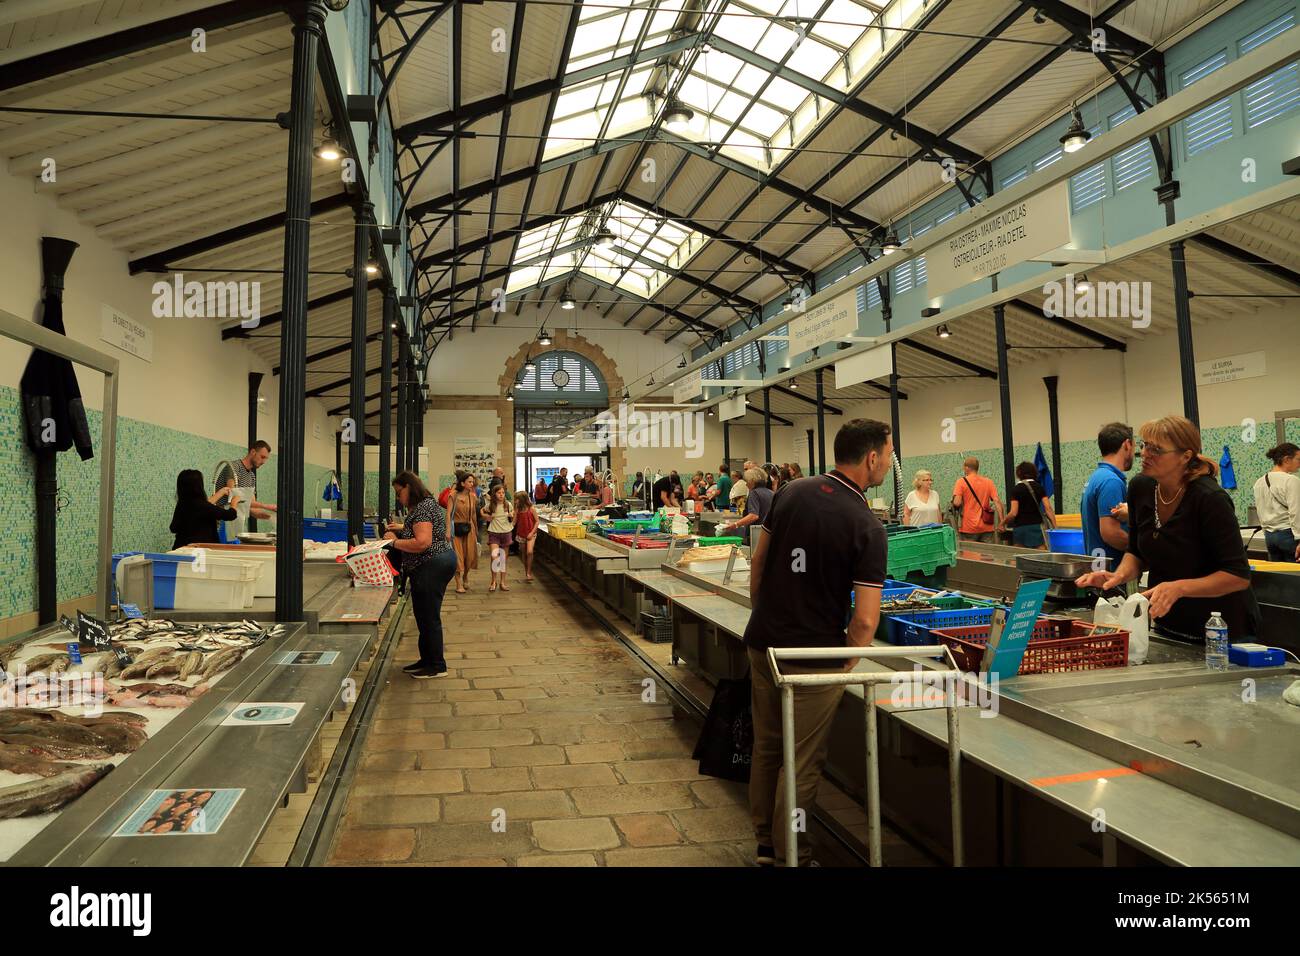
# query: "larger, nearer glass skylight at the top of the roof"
{"type": "Point", "coordinates": [742, 109]}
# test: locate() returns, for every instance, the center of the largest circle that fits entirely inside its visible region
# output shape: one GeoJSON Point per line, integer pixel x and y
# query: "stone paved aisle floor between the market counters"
{"type": "Point", "coordinates": [536, 750]}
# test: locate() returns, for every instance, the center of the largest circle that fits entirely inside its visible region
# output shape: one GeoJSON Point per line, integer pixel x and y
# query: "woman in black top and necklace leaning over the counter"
{"type": "Point", "coordinates": [1184, 531]}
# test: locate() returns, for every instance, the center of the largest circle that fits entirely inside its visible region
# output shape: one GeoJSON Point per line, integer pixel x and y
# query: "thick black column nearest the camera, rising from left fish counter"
{"type": "Point", "coordinates": [309, 29]}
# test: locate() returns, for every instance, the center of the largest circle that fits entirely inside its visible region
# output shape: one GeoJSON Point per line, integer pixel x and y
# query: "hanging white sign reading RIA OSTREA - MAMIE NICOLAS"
{"type": "Point", "coordinates": [1006, 237]}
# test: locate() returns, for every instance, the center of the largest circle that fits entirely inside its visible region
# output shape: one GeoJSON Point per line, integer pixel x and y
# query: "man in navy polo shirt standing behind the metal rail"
{"type": "Point", "coordinates": [822, 543]}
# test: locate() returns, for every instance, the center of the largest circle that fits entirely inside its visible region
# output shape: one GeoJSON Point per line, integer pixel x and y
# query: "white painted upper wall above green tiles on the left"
{"type": "Point", "coordinates": [196, 383]}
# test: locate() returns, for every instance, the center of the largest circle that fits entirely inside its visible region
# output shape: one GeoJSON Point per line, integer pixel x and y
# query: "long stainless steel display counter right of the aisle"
{"type": "Point", "coordinates": [1163, 763]}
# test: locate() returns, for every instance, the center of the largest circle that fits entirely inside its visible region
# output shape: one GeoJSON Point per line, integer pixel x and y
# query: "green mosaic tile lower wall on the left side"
{"type": "Point", "coordinates": [149, 460]}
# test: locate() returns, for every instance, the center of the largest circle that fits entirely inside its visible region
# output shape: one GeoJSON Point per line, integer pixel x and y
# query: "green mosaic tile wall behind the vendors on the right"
{"type": "Point", "coordinates": [1080, 458]}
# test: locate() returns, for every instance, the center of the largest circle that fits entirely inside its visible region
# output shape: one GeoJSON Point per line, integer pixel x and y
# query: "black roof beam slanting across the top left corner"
{"type": "Point", "coordinates": [79, 57]}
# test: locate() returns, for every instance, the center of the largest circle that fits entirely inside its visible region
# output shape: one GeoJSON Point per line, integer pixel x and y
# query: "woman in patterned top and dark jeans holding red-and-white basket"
{"type": "Point", "coordinates": [428, 565]}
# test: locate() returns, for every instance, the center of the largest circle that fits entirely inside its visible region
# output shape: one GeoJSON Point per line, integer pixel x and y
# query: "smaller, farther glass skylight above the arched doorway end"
{"type": "Point", "coordinates": [647, 252]}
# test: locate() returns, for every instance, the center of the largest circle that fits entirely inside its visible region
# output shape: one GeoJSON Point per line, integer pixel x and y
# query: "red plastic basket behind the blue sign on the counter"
{"type": "Point", "coordinates": [1055, 647]}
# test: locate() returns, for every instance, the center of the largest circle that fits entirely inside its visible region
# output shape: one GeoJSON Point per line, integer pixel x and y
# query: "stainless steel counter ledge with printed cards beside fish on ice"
{"type": "Point", "coordinates": [194, 751]}
